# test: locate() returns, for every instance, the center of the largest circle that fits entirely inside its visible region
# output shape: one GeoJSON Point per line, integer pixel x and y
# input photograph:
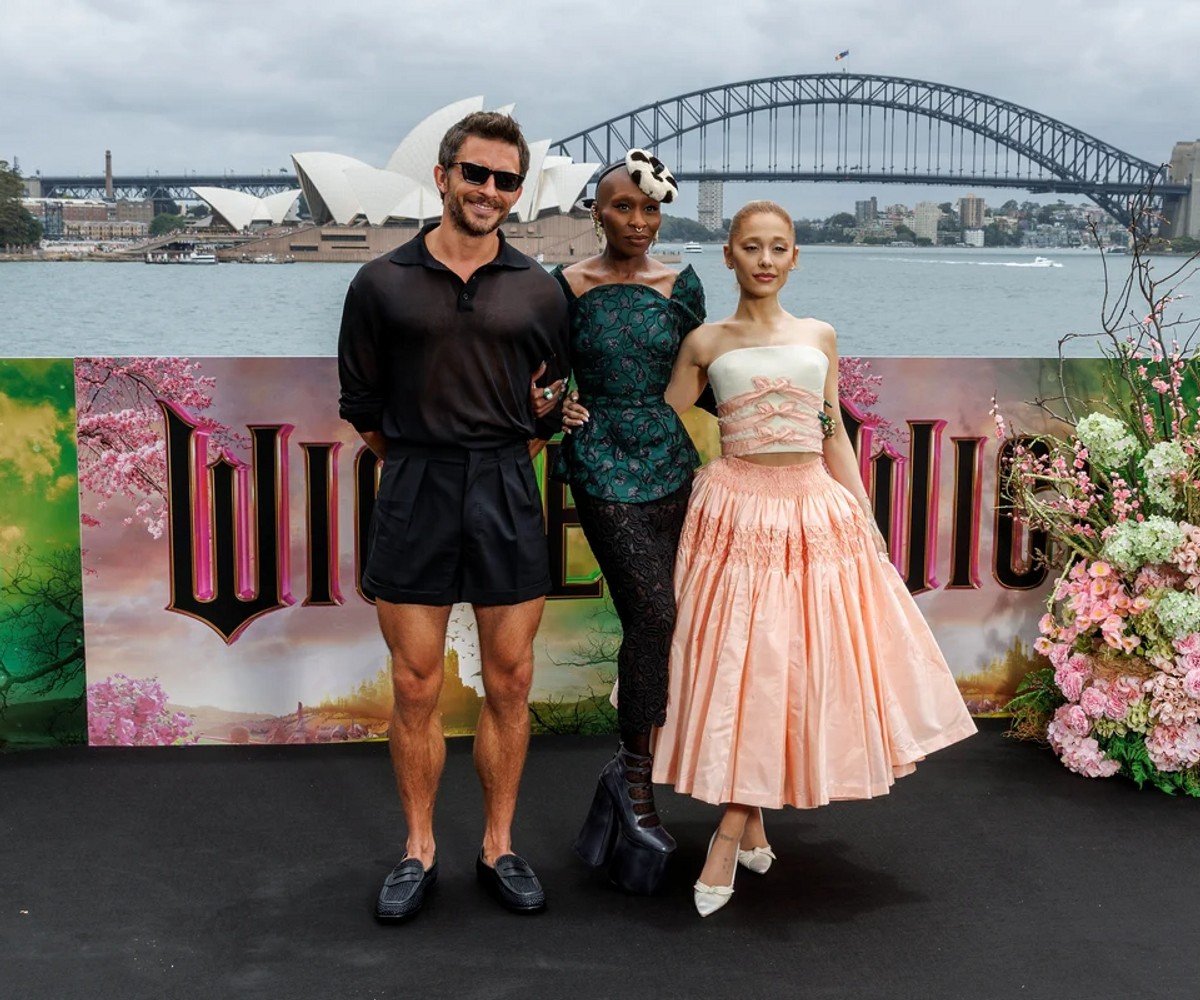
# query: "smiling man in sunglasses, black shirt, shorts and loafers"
{"type": "Point", "coordinates": [437, 348]}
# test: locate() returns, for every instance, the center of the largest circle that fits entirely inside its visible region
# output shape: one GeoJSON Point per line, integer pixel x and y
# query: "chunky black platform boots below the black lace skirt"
{"type": "Point", "coordinates": [623, 829]}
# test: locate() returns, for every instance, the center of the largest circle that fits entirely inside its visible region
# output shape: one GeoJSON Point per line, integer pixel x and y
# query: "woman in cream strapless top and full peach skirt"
{"type": "Point", "coordinates": [801, 669]}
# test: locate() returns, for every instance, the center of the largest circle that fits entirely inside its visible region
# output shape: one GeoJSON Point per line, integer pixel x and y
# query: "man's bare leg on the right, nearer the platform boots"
{"type": "Point", "coordinates": [506, 645]}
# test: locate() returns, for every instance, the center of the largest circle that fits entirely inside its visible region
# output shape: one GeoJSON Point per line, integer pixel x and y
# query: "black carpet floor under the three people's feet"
{"type": "Point", "coordinates": [251, 873]}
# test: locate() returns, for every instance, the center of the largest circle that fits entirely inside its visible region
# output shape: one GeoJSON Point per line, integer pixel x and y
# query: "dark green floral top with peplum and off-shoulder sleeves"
{"type": "Point", "coordinates": [625, 342]}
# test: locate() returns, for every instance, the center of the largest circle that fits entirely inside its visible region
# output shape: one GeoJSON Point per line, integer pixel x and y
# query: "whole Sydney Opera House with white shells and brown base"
{"type": "Point", "coordinates": [361, 212]}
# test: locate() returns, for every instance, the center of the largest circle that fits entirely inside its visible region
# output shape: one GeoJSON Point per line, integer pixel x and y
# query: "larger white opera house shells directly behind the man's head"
{"type": "Point", "coordinates": [341, 189]}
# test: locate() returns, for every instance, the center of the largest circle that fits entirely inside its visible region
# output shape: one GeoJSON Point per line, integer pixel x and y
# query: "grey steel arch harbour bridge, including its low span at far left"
{"type": "Point", "coordinates": [836, 128]}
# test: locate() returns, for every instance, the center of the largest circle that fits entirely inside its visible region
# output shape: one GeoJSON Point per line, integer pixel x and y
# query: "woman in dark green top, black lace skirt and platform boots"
{"type": "Point", "coordinates": [629, 463]}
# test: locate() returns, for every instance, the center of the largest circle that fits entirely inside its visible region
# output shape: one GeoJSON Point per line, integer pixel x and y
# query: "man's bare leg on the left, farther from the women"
{"type": "Point", "coordinates": [416, 637]}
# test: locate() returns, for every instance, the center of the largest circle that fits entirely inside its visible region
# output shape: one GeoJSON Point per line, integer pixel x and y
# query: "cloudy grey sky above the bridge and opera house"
{"type": "Point", "coordinates": [221, 86]}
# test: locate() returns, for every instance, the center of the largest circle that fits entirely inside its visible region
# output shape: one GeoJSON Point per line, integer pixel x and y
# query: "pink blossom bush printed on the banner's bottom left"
{"type": "Point", "coordinates": [133, 712]}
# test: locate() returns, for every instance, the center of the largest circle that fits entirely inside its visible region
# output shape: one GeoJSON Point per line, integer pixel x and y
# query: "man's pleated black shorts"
{"type": "Point", "coordinates": [455, 525]}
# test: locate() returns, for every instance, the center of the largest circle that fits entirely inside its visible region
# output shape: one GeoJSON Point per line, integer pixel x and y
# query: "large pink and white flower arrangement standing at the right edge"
{"type": "Point", "coordinates": [1123, 627]}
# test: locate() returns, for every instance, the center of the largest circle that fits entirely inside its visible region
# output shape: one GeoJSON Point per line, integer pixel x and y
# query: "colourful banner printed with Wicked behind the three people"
{"type": "Point", "coordinates": [181, 546]}
